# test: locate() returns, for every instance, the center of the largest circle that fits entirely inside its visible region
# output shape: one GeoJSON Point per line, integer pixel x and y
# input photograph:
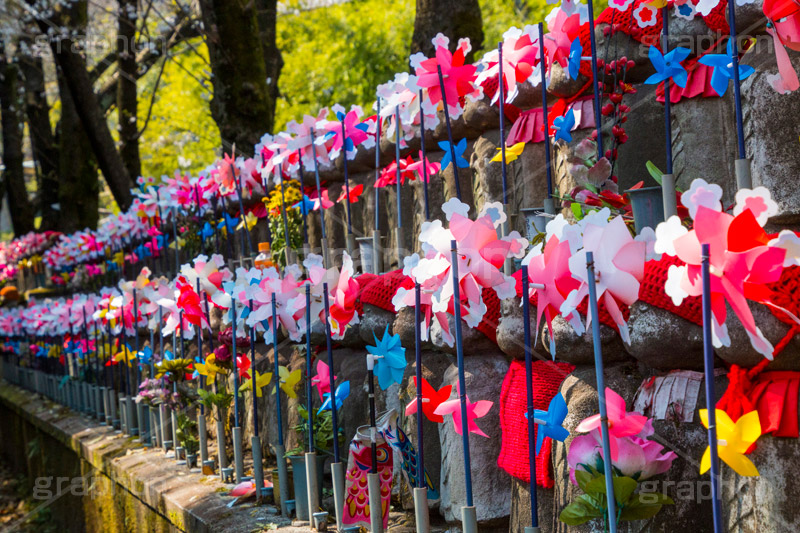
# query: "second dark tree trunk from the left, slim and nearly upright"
{"type": "Point", "coordinates": [43, 146]}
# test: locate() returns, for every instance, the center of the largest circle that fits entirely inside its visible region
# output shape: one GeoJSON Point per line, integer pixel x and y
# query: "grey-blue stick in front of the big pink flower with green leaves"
{"type": "Point", "coordinates": [601, 387]}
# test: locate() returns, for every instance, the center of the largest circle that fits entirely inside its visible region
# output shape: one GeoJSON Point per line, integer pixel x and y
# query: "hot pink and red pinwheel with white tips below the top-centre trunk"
{"type": "Point", "coordinates": [456, 76]}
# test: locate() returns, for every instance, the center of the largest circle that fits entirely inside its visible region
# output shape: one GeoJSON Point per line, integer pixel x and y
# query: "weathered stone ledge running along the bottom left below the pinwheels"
{"type": "Point", "coordinates": [188, 501]}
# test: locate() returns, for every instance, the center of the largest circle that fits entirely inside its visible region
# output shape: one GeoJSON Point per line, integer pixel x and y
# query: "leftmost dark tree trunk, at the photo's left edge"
{"type": "Point", "coordinates": [11, 123]}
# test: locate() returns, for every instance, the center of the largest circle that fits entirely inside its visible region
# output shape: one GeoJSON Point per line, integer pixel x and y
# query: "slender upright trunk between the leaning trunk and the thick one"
{"type": "Point", "coordinates": [126, 87]}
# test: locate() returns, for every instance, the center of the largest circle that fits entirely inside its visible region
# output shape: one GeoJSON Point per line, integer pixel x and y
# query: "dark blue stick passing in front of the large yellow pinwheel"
{"type": "Point", "coordinates": [708, 360]}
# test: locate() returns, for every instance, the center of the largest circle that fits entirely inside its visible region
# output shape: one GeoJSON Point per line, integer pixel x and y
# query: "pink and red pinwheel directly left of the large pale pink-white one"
{"type": "Point", "coordinates": [552, 281]}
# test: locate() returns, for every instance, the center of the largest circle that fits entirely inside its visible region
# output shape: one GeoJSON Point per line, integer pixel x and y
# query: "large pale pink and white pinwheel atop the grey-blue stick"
{"type": "Point", "coordinates": [619, 268]}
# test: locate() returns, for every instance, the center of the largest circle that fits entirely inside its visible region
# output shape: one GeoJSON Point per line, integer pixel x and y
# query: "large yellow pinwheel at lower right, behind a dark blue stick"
{"type": "Point", "coordinates": [733, 440]}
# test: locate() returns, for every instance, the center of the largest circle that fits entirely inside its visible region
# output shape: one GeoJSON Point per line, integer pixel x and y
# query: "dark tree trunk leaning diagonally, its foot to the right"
{"type": "Point", "coordinates": [67, 53]}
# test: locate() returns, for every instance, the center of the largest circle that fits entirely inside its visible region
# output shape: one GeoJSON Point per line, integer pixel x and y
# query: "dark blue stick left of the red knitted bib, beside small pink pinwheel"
{"type": "Point", "coordinates": [468, 516]}
